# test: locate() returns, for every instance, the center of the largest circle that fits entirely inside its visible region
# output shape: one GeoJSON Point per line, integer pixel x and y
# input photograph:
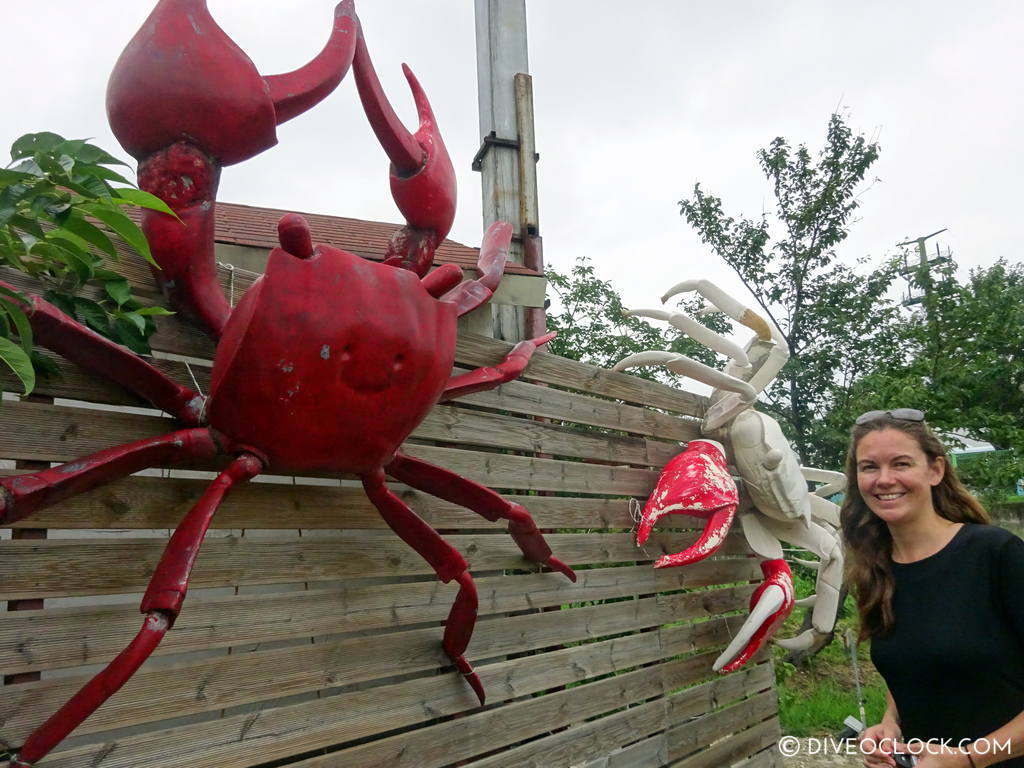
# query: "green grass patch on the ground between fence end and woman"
{"type": "Point", "coordinates": [815, 701]}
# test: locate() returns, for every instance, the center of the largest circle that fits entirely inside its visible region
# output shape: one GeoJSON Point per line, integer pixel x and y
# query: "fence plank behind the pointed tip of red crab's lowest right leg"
{"type": "Point", "coordinates": [283, 732]}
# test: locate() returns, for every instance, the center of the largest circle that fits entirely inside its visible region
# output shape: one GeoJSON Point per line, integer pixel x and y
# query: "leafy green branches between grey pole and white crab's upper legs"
{"type": "Point", "coordinates": [593, 325]}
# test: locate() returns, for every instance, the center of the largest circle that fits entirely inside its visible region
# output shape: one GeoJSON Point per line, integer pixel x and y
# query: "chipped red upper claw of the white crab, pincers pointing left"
{"type": "Point", "coordinates": [696, 483]}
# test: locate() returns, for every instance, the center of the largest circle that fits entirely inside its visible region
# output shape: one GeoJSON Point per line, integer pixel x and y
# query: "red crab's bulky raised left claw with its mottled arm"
{"type": "Point", "coordinates": [186, 101]}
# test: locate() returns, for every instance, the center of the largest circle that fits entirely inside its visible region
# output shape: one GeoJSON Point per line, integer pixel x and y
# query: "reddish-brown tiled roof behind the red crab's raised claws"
{"type": "Point", "coordinates": [249, 226]}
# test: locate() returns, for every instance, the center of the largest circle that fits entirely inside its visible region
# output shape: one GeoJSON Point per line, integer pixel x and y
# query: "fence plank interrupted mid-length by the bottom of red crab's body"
{"type": "Point", "coordinates": [41, 433]}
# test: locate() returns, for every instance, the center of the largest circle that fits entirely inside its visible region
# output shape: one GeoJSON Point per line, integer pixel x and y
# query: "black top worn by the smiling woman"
{"type": "Point", "coordinates": [955, 660]}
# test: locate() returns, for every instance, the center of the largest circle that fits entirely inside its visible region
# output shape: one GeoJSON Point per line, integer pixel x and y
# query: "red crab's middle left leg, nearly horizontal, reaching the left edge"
{"type": "Point", "coordinates": [23, 495]}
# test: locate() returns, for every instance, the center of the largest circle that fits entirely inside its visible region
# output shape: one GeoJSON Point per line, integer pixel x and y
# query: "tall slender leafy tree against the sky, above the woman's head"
{"type": "Point", "coordinates": [835, 318]}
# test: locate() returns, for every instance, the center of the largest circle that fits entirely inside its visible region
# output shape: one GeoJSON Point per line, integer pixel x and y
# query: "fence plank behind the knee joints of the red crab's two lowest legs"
{"type": "Point", "coordinates": [69, 637]}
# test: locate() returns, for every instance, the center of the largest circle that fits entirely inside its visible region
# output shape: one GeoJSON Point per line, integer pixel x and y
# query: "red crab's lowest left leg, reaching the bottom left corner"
{"type": "Point", "coordinates": [162, 604]}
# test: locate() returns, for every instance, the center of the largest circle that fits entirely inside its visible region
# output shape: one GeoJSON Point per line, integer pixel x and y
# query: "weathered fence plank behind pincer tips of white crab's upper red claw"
{"type": "Point", "coordinates": [66, 568]}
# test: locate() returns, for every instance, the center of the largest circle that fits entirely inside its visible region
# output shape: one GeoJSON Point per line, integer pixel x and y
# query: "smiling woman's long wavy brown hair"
{"type": "Point", "coordinates": [869, 543]}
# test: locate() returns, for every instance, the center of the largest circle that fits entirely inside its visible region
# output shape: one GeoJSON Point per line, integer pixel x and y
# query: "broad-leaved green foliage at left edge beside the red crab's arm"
{"type": "Point", "coordinates": [58, 205]}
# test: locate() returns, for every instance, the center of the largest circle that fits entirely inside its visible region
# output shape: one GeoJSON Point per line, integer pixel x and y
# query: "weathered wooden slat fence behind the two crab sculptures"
{"type": "Point", "coordinates": [312, 635]}
